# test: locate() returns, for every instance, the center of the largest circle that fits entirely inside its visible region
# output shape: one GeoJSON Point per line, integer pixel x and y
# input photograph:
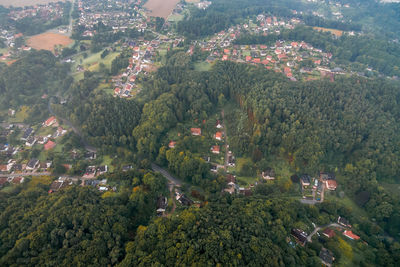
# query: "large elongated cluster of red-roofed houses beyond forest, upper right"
{"type": "Point", "coordinates": [283, 56]}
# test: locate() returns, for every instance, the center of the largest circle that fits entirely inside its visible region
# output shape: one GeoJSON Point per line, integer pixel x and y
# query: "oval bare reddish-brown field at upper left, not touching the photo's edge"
{"type": "Point", "coordinates": [47, 41]}
